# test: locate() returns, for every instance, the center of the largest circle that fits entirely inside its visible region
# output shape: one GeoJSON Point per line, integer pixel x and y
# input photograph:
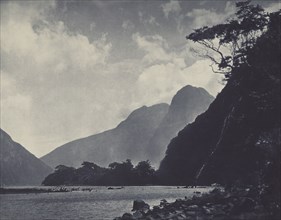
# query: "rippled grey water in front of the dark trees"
{"type": "Point", "coordinates": [100, 203]}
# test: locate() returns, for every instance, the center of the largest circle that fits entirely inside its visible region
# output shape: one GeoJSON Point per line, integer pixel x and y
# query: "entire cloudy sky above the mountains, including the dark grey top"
{"type": "Point", "coordinates": [70, 69]}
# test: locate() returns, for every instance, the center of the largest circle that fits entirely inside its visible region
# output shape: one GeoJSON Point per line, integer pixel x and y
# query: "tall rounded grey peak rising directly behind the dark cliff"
{"type": "Point", "coordinates": [186, 105]}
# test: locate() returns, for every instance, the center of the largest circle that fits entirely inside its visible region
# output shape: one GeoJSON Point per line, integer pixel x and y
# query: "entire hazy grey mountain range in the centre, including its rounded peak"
{"type": "Point", "coordinates": [144, 135]}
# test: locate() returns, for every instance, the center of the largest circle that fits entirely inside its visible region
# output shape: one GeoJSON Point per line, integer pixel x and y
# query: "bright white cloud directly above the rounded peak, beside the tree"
{"type": "Point", "coordinates": [166, 72]}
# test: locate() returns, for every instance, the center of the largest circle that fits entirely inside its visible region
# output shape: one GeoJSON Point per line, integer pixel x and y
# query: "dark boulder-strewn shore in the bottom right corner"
{"type": "Point", "coordinates": [251, 203]}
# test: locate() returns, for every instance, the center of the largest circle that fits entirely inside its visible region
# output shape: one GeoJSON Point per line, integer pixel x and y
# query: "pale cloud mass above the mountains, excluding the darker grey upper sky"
{"type": "Point", "coordinates": [57, 85]}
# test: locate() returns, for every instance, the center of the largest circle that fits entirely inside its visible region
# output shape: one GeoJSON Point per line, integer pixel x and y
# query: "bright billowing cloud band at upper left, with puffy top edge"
{"type": "Point", "coordinates": [51, 45]}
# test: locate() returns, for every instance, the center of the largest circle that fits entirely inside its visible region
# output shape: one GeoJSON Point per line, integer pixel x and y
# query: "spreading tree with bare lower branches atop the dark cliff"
{"type": "Point", "coordinates": [226, 45]}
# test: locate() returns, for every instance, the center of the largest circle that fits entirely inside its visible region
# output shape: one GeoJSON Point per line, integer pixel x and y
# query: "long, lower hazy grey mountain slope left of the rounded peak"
{"type": "Point", "coordinates": [127, 140]}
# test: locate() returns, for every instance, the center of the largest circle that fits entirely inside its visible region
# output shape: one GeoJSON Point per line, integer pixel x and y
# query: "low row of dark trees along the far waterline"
{"type": "Point", "coordinates": [117, 173]}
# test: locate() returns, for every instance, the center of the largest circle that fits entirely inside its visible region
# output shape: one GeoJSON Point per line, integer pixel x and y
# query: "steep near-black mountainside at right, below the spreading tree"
{"type": "Point", "coordinates": [238, 137]}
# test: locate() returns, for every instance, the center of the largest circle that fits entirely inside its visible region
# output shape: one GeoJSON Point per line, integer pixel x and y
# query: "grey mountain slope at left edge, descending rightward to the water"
{"type": "Point", "coordinates": [18, 166]}
